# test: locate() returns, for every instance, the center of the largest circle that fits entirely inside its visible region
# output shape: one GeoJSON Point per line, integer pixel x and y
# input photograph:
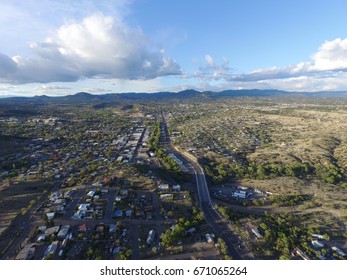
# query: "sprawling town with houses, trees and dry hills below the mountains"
{"type": "Point", "coordinates": [127, 181]}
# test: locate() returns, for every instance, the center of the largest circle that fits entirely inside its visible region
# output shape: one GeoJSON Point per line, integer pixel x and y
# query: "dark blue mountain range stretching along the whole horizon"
{"type": "Point", "coordinates": [109, 99]}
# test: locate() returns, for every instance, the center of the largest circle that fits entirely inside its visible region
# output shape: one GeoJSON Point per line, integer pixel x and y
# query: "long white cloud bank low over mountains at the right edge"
{"type": "Point", "coordinates": [327, 70]}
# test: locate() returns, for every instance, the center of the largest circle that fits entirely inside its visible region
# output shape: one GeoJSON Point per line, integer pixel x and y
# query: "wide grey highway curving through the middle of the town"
{"type": "Point", "coordinates": [212, 216]}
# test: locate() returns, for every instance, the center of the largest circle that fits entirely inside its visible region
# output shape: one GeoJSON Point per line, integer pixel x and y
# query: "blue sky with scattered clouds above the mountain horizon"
{"type": "Point", "coordinates": [60, 47]}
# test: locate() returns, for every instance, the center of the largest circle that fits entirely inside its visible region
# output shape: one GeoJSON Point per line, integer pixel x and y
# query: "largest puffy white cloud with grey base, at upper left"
{"type": "Point", "coordinates": [98, 46]}
